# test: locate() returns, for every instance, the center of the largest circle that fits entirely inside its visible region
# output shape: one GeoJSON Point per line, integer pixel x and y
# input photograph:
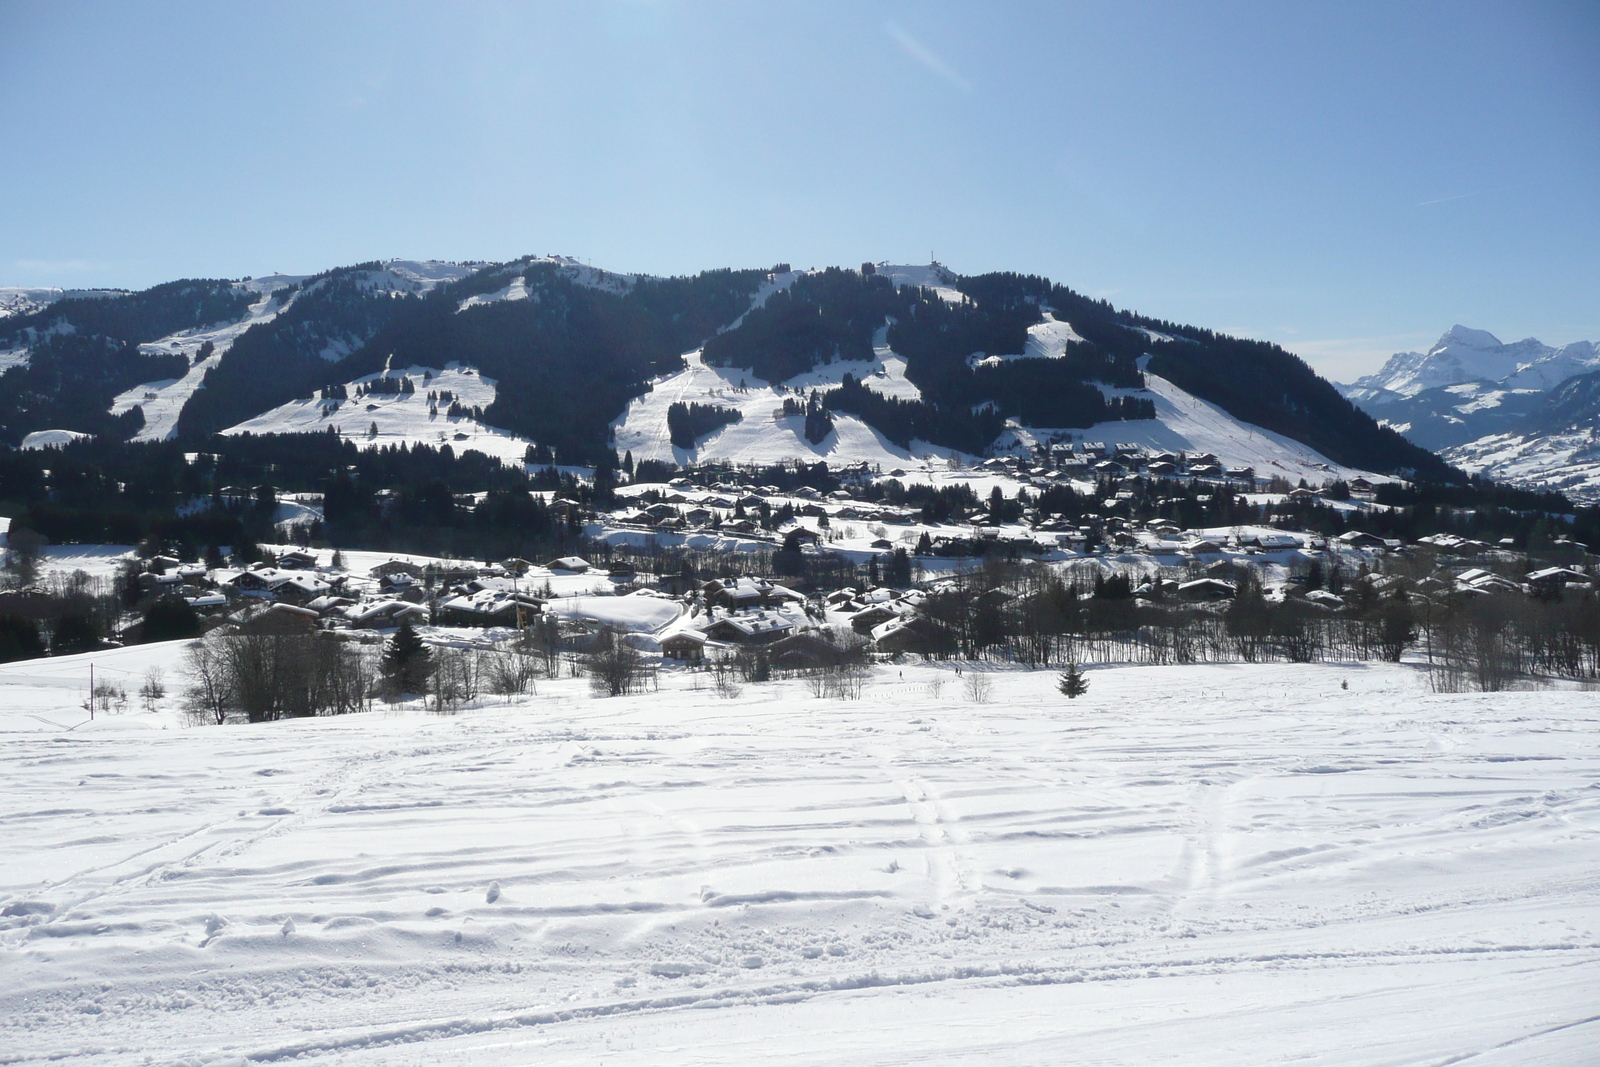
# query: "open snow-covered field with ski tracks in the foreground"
{"type": "Point", "coordinates": [1188, 866]}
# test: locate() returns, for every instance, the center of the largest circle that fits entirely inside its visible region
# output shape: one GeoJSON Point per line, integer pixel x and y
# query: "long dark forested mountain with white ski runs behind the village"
{"type": "Point", "coordinates": [551, 358]}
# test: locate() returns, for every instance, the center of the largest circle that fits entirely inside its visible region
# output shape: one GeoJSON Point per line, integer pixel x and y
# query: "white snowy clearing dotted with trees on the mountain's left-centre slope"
{"type": "Point", "coordinates": [401, 418]}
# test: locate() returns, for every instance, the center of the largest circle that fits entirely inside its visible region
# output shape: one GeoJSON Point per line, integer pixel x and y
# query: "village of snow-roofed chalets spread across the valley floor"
{"type": "Point", "coordinates": [710, 562]}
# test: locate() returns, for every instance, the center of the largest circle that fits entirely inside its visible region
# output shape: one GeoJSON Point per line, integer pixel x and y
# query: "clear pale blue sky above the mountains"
{"type": "Point", "coordinates": [1348, 180]}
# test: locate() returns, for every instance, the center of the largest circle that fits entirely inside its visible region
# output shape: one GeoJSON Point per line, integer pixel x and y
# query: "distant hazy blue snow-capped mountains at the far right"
{"type": "Point", "coordinates": [1524, 412]}
